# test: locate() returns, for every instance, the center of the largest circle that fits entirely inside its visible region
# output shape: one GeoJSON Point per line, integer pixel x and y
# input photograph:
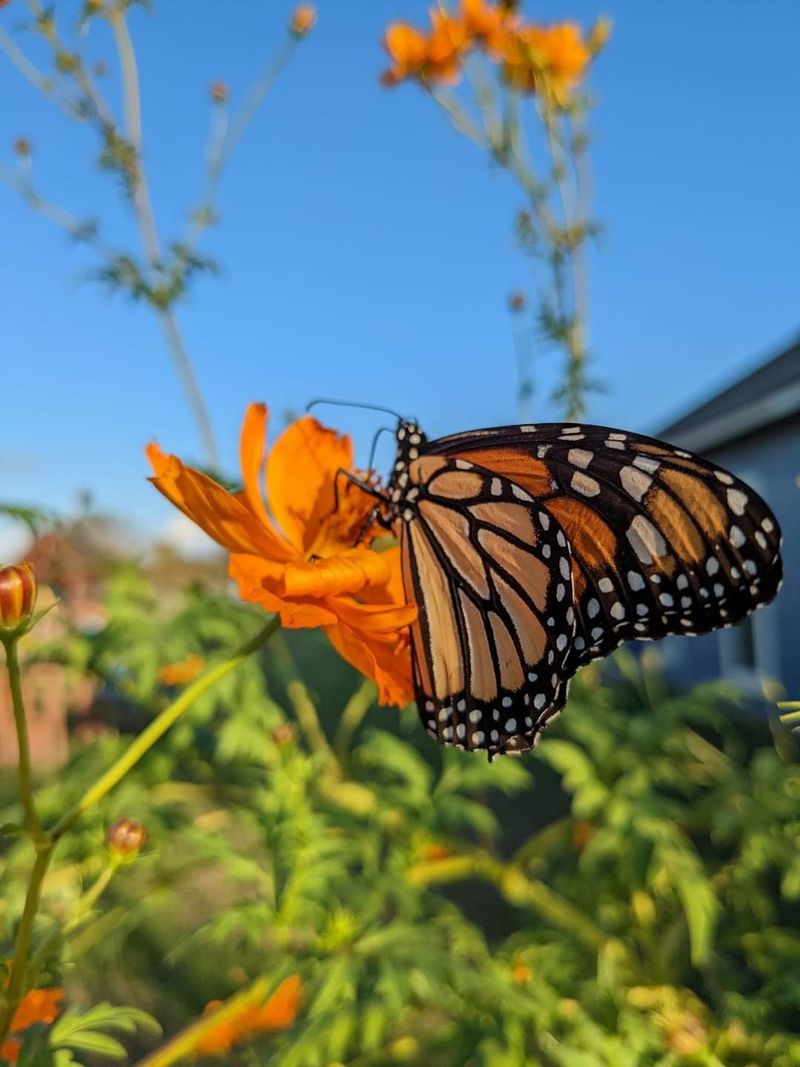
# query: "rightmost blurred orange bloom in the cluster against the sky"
{"type": "Point", "coordinates": [558, 54]}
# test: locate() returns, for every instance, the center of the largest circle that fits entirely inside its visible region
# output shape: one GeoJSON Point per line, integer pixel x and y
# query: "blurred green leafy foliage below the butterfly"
{"type": "Point", "coordinates": [629, 896]}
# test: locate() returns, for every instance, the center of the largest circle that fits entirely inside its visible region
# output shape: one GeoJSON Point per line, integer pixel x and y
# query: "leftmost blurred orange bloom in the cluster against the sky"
{"type": "Point", "coordinates": [436, 58]}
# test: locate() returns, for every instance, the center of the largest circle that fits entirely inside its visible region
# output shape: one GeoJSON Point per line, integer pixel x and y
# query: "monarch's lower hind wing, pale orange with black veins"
{"type": "Point", "coordinates": [491, 575]}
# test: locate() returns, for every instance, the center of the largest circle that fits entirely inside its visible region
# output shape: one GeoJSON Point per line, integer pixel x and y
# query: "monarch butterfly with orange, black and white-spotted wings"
{"type": "Point", "coordinates": [533, 550]}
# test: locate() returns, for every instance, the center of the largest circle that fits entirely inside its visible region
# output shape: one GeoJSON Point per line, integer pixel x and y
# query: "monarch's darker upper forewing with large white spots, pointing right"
{"type": "Point", "coordinates": [662, 542]}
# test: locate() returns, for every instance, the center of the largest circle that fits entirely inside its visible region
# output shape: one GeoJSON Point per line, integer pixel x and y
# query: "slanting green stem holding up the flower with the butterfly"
{"type": "Point", "coordinates": [158, 728]}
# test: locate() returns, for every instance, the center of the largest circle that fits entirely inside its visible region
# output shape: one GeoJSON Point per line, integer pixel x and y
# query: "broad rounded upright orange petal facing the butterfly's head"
{"type": "Point", "coordinates": [301, 474]}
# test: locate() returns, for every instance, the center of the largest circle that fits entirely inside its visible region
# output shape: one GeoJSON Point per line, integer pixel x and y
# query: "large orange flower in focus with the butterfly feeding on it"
{"type": "Point", "coordinates": [300, 559]}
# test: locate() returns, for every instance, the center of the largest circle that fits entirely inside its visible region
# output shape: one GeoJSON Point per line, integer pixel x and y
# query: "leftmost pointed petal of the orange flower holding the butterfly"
{"type": "Point", "coordinates": [225, 517]}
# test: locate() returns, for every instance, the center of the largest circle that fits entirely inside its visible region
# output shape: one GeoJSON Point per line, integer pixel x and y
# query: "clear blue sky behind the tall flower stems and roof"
{"type": "Point", "coordinates": [369, 250]}
